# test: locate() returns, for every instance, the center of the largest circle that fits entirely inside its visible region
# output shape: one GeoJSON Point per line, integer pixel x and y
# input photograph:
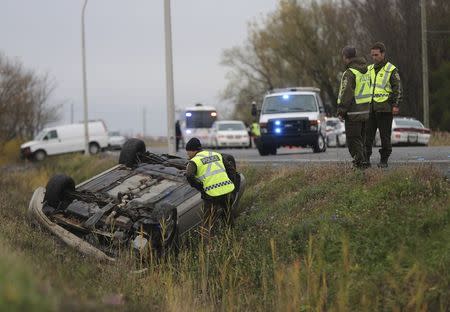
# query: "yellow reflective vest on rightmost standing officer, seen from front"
{"type": "Point", "coordinates": [381, 85]}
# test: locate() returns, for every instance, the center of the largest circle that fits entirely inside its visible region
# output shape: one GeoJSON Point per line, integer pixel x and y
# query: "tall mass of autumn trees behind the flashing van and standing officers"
{"type": "Point", "coordinates": [300, 43]}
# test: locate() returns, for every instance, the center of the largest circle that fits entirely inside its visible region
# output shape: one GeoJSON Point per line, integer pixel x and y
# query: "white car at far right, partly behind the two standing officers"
{"type": "Point", "coordinates": [406, 131]}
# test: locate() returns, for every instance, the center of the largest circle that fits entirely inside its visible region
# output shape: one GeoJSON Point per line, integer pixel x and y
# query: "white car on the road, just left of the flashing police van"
{"type": "Point", "coordinates": [229, 133]}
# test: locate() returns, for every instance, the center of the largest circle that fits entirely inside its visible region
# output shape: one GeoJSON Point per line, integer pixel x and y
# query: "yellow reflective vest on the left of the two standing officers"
{"type": "Point", "coordinates": [362, 93]}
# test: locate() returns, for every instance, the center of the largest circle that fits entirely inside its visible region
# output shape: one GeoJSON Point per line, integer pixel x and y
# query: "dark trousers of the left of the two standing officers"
{"type": "Point", "coordinates": [355, 134]}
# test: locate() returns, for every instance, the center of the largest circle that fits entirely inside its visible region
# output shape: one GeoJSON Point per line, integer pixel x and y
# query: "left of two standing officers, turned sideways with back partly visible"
{"type": "Point", "coordinates": [353, 104]}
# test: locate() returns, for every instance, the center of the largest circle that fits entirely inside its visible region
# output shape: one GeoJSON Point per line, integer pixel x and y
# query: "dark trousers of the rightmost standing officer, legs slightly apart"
{"type": "Point", "coordinates": [382, 121]}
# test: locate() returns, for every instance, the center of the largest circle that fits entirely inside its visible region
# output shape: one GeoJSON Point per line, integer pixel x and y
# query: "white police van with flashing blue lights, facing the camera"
{"type": "Point", "coordinates": [291, 117]}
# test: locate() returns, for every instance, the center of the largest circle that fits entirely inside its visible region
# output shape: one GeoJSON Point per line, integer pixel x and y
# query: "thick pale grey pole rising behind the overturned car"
{"type": "Point", "coordinates": [169, 80]}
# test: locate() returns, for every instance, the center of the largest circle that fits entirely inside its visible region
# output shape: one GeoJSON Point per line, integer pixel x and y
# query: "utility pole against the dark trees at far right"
{"type": "Point", "coordinates": [423, 14]}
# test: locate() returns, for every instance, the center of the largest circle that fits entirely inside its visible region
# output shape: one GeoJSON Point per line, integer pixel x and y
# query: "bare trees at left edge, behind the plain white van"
{"type": "Point", "coordinates": [25, 106]}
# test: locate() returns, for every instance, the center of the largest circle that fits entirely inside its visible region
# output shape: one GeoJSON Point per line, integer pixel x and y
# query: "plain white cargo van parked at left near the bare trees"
{"type": "Point", "coordinates": [65, 139]}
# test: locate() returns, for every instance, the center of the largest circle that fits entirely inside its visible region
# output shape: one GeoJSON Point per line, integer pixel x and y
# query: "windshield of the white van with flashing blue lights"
{"type": "Point", "coordinates": [289, 103]}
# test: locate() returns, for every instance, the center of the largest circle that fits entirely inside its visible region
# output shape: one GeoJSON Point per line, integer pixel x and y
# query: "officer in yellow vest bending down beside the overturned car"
{"type": "Point", "coordinates": [210, 174]}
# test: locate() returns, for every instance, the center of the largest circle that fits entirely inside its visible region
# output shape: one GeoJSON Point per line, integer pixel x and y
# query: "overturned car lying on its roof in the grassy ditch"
{"type": "Point", "coordinates": [143, 203]}
